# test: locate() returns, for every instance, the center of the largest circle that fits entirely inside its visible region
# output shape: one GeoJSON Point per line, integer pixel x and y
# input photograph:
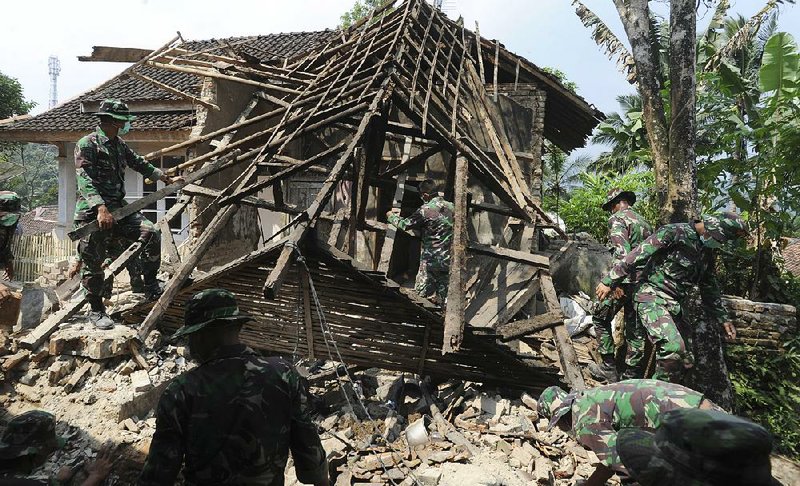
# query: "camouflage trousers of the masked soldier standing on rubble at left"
{"type": "Point", "coordinates": [95, 248]}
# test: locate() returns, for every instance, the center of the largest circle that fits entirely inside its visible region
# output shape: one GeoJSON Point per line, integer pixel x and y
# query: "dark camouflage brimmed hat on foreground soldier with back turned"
{"type": "Point", "coordinates": [210, 306]}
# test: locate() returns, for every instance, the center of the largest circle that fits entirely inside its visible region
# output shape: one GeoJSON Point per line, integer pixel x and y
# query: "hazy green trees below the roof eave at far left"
{"type": "Point", "coordinates": [37, 182]}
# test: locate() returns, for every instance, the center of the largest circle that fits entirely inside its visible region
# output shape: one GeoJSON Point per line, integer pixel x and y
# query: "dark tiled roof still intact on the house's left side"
{"type": "Point", "coordinates": [68, 116]}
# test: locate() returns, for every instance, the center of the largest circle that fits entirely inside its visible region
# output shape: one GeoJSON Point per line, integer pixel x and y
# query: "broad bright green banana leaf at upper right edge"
{"type": "Point", "coordinates": [779, 64]}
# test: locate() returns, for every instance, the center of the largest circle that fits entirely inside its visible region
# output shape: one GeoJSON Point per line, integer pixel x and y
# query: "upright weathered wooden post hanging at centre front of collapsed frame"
{"type": "Point", "coordinates": [454, 313]}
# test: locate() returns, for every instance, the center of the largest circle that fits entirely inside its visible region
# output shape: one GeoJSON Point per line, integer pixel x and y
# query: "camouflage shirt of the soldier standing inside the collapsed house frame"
{"type": "Point", "coordinates": [435, 219]}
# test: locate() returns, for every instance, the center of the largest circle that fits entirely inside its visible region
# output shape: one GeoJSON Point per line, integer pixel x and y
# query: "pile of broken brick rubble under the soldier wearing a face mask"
{"type": "Point", "coordinates": [101, 388]}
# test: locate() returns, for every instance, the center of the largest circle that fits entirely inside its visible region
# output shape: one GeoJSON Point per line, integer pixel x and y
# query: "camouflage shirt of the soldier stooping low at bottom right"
{"type": "Point", "coordinates": [599, 413]}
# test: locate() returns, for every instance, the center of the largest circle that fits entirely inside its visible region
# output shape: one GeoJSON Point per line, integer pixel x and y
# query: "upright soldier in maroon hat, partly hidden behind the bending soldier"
{"type": "Point", "coordinates": [626, 230]}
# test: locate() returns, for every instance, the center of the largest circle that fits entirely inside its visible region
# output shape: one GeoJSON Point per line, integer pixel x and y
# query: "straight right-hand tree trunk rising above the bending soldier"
{"type": "Point", "coordinates": [682, 196]}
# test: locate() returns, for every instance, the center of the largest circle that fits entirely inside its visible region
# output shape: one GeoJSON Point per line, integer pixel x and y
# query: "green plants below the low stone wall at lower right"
{"type": "Point", "coordinates": [767, 390]}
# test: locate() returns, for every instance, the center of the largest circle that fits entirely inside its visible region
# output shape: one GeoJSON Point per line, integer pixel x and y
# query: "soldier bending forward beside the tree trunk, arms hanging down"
{"type": "Point", "coordinates": [677, 257]}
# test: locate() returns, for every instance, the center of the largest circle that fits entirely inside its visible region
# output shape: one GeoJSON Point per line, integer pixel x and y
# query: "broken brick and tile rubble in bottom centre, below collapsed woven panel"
{"type": "Point", "coordinates": [372, 421]}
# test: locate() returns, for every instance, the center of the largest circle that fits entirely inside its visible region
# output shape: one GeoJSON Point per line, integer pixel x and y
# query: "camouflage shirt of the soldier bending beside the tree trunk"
{"type": "Point", "coordinates": [675, 260]}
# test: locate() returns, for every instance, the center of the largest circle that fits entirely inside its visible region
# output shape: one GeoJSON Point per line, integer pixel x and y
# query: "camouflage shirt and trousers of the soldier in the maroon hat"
{"type": "Point", "coordinates": [626, 230]}
